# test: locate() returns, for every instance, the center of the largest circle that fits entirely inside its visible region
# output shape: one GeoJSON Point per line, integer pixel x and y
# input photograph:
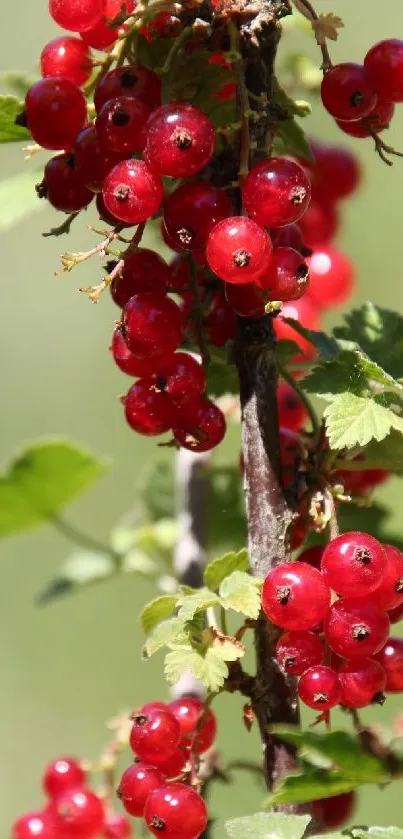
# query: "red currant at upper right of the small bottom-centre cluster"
{"type": "Point", "coordinates": [188, 710]}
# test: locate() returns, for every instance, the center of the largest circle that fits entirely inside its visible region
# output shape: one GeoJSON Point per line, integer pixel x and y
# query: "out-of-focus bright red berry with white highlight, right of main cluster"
{"type": "Point", "coordinates": [331, 277]}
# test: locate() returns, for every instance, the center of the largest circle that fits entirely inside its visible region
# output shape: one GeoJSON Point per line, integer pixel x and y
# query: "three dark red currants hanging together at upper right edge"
{"type": "Point", "coordinates": [362, 98]}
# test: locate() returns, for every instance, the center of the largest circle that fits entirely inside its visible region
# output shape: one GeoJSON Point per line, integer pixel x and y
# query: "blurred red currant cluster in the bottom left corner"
{"type": "Point", "coordinates": [73, 809]}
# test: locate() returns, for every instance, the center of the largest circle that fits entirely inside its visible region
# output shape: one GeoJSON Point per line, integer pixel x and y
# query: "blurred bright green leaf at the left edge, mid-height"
{"type": "Point", "coordinates": [39, 482]}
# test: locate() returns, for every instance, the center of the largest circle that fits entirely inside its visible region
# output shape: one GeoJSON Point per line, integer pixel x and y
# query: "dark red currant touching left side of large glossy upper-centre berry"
{"type": "Point", "coordinates": [120, 123]}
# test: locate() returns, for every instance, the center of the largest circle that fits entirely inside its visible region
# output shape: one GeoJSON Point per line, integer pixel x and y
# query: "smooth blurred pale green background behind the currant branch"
{"type": "Point", "coordinates": [67, 668]}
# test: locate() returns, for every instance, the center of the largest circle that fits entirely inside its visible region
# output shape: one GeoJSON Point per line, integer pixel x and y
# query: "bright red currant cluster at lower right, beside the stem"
{"type": "Point", "coordinates": [348, 629]}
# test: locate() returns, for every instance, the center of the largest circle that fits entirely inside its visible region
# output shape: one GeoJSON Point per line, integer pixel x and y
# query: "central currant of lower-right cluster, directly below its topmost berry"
{"type": "Point", "coordinates": [355, 628]}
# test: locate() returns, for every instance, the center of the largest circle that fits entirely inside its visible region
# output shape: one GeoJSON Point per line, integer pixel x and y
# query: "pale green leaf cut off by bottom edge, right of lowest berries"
{"type": "Point", "coordinates": [268, 826]}
